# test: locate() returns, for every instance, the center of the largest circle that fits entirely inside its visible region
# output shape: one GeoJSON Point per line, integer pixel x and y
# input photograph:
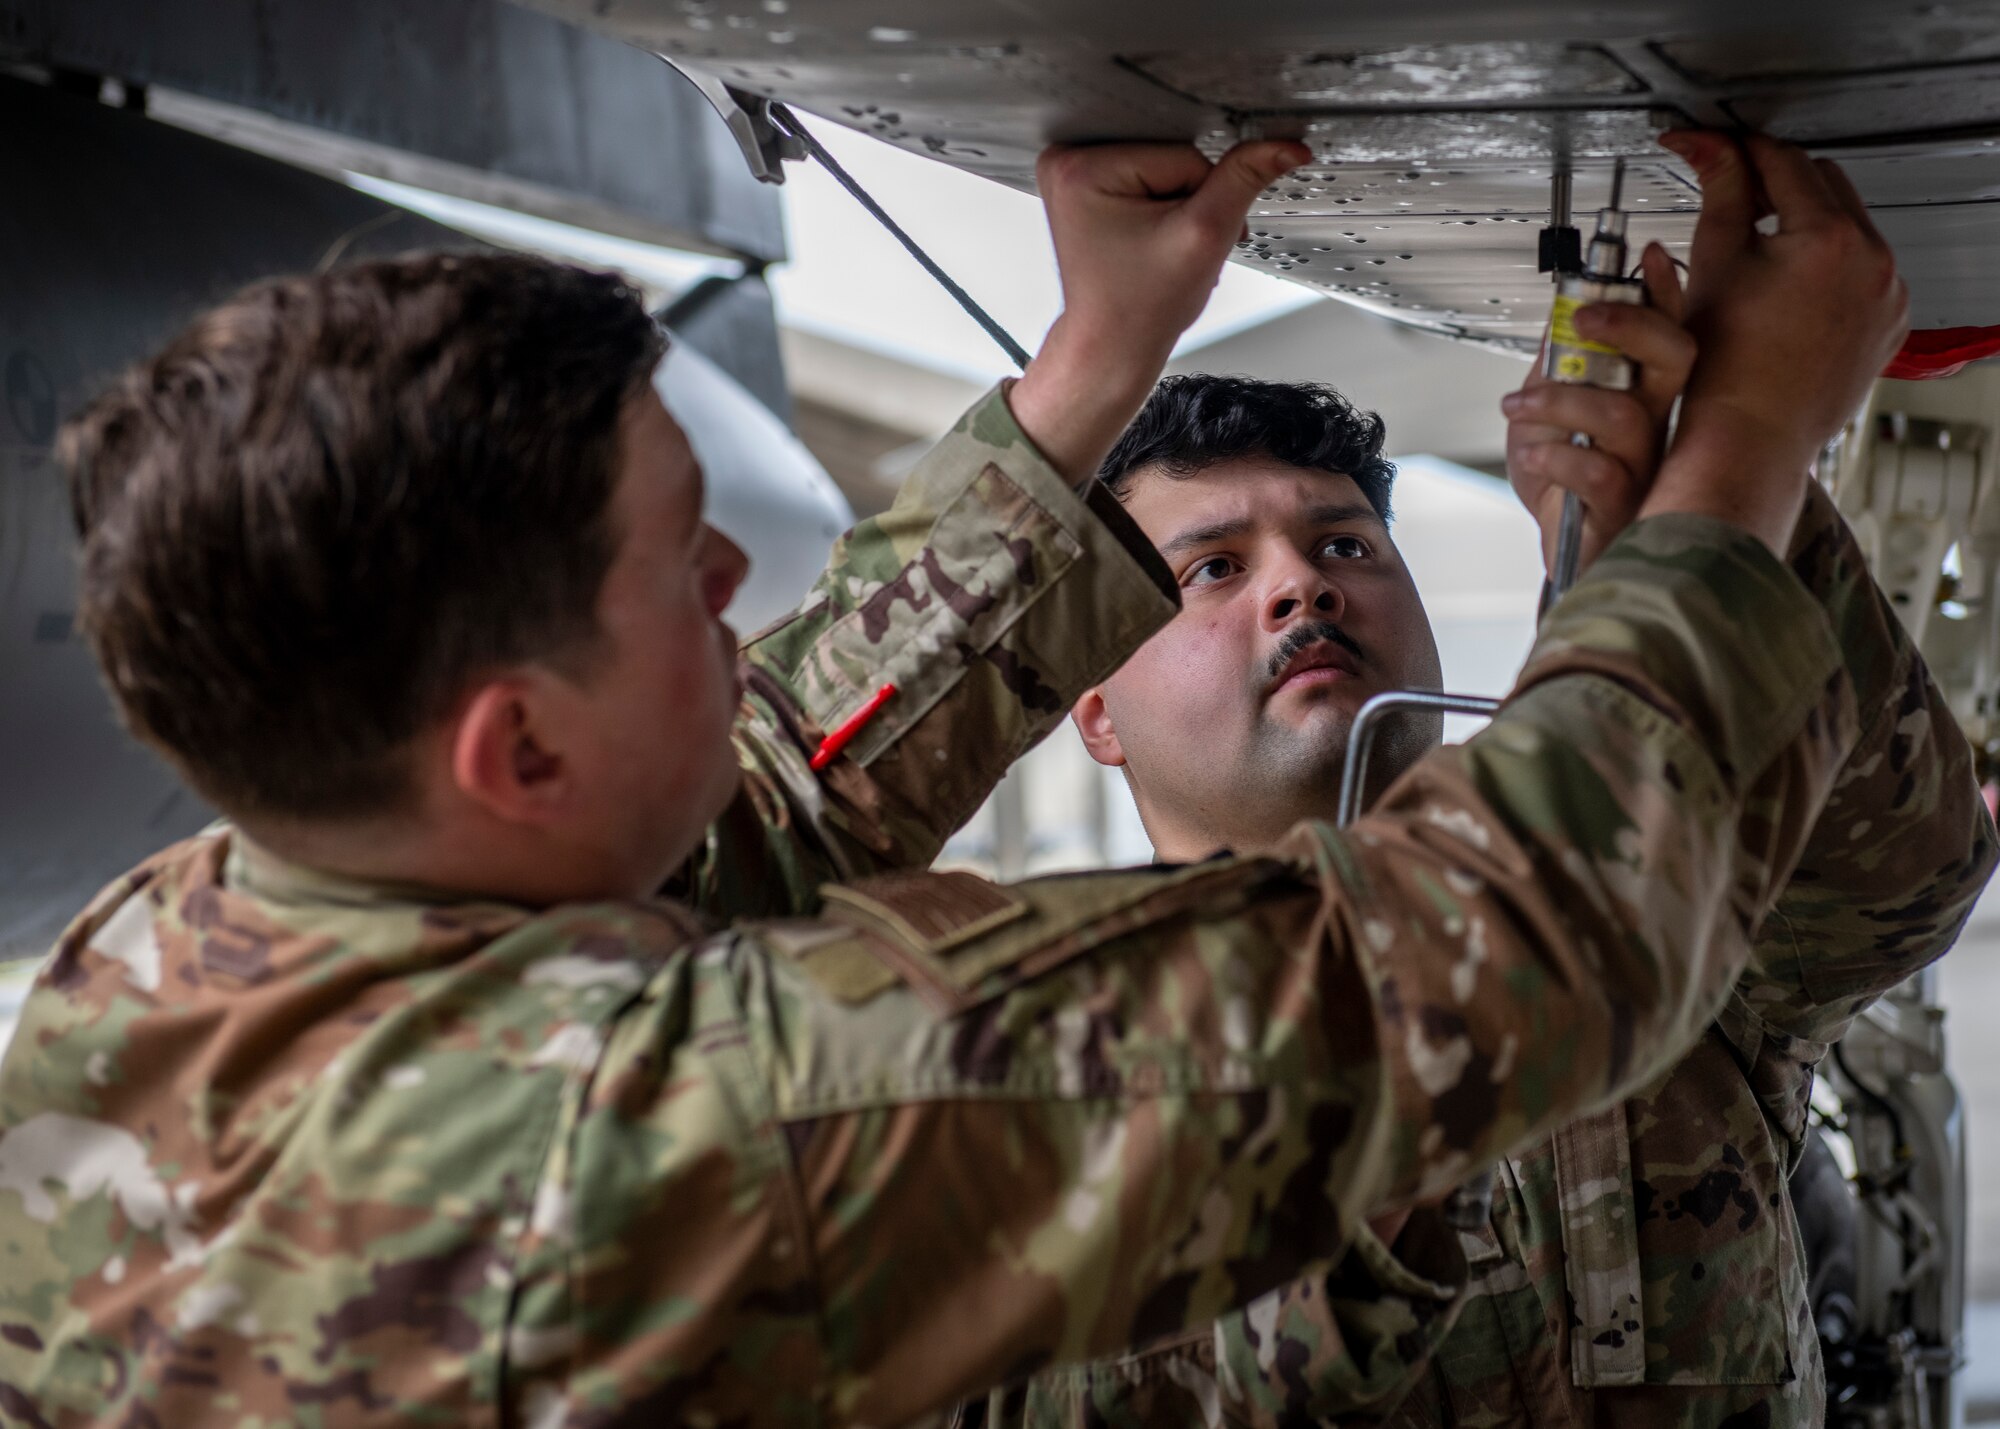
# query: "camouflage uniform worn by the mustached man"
{"type": "Point", "coordinates": [1643, 1268]}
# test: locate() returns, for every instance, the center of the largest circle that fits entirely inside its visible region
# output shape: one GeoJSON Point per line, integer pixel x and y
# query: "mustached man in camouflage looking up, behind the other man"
{"type": "Point", "coordinates": [1641, 1268]}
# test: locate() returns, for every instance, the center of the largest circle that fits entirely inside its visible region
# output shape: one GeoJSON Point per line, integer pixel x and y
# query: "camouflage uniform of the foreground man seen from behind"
{"type": "Point", "coordinates": [279, 1148]}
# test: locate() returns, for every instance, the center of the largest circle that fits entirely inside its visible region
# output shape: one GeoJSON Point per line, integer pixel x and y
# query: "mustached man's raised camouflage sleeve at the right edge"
{"type": "Point", "coordinates": [1905, 844]}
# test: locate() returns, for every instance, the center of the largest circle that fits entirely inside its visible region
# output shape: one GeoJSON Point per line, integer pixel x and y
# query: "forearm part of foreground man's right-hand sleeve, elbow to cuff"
{"type": "Point", "coordinates": [1711, 681]}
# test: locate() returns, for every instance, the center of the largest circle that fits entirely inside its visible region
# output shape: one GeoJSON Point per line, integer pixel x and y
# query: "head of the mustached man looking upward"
{"type": "Point", "coordinates": [1227, 475]}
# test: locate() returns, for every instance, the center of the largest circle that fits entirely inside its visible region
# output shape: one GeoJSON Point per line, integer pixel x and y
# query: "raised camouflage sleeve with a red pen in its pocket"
{"type": "Point", "coordinates": [991, 595]}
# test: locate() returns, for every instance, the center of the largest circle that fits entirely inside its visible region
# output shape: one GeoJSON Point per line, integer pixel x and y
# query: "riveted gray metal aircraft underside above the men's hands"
{"type": "Point", "coordinates": [1437, 127]}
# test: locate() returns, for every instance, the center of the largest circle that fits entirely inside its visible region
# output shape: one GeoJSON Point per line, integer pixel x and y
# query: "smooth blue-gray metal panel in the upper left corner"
{"type": "Point", "coordinates": [463, 97]}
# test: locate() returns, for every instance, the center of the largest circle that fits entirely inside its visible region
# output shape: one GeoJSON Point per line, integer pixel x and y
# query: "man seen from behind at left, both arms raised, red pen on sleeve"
{"type": "Point", "coordinates": [401, 1098]}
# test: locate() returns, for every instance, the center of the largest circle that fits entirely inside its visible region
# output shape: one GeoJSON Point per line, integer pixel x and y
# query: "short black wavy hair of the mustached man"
{"type": "Point", "coordinates": [1199, 421]}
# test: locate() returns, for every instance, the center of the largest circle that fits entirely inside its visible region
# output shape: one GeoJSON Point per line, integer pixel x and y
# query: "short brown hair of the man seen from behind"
{"type": "Point", "coordinates": [333, 503]}
